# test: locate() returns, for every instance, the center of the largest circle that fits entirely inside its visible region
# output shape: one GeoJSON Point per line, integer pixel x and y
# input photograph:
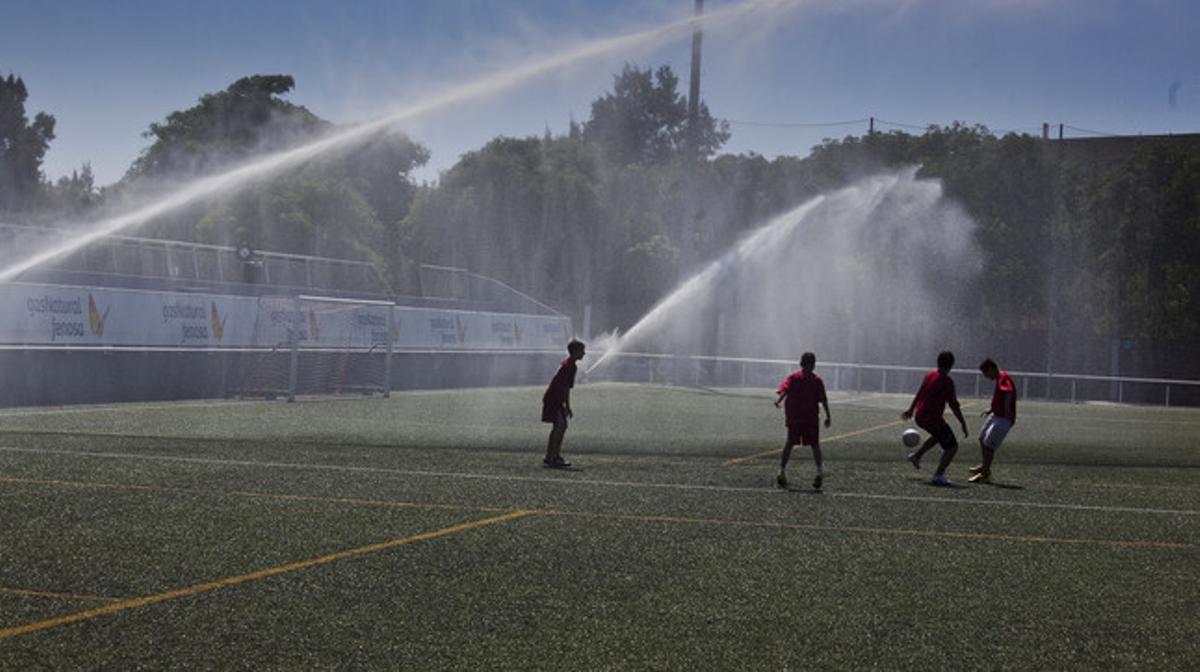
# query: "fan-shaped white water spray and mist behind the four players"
{"type": "Point", "coordinates": [873, 273]}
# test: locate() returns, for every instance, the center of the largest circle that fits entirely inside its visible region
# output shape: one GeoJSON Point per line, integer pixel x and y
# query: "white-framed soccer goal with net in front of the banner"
{"type": "Point", "coordinates": [317, 346]}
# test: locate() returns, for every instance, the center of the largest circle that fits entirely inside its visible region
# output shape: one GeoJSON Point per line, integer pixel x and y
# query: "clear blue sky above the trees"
{"type": "Point", "coordinates": [785, 79]}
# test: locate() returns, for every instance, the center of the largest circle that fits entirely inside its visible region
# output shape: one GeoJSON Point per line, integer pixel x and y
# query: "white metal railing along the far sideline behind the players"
{"type": "Point", "coordinates": [747, 373]}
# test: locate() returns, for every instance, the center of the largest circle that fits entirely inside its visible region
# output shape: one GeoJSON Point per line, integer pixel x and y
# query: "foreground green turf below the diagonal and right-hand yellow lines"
{"type": "Point", "coordinates": [560, 593]}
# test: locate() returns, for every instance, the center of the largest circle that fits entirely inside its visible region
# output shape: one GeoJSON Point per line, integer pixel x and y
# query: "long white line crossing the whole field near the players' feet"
{"type": "Point", "coordinates": [573, 482]}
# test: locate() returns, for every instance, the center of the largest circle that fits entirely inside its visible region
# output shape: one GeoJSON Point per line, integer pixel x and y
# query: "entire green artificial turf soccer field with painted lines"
{"type": "Point", "coordinates": [421, 532]}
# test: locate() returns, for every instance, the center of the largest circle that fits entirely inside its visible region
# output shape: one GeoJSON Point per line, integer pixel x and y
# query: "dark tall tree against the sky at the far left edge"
{"type": "Point", "coordinates": [22, 147]}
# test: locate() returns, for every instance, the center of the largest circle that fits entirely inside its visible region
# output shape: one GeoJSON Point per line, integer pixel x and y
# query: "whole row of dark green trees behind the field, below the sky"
{"type": "Point", "coordinates": [620, 208]}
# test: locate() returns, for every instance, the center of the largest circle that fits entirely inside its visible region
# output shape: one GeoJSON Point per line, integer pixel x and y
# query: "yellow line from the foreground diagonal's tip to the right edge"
{"type": "Point", "coordinates": [905, 532]}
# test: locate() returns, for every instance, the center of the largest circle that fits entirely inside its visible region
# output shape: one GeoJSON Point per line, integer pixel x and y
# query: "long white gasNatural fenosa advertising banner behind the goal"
{"type": "Point", "coordinates": [47, 315]}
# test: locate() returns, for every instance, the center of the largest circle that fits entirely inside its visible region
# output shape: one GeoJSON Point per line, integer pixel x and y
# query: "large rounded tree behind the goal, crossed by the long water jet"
{"type": "Point", "coordinates": [347, 205]}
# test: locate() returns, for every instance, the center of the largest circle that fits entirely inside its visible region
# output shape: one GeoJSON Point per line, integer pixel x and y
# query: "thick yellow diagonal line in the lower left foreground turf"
{"type": "Point", "coordinates": [124, 605]}
